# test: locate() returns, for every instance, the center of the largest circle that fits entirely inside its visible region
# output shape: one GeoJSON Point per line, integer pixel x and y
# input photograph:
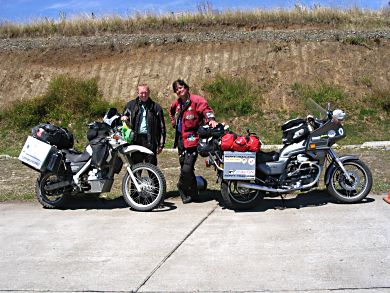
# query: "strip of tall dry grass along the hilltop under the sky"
{"type": "Point", "coordinates": [206, 17]}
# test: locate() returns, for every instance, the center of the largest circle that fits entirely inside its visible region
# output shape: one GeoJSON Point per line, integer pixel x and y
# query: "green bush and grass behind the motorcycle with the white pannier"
{"type": "Point", "coordinates": [68, 102]}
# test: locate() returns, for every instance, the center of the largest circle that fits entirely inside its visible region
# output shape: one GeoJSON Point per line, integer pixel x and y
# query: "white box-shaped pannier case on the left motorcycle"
{"type": "Point", "coordinates": [37, 154]}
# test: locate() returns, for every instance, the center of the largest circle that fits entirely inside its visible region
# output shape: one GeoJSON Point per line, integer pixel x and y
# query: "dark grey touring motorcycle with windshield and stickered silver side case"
{"type": "Point", "coordinates": [246, 177]}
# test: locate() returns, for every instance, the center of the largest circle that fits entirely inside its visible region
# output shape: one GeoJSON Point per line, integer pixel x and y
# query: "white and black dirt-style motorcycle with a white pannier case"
{"type": "Point", "coordinates": [65, 172]}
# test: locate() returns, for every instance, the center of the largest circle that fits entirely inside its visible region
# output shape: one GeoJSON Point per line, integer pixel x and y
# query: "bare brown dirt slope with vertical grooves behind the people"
{"type": "Point", "coordinates": [273, 63]}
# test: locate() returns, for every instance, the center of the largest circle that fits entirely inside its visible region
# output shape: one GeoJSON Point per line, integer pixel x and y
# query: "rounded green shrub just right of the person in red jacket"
{"type": "Point", "coordinates": [233, 96]}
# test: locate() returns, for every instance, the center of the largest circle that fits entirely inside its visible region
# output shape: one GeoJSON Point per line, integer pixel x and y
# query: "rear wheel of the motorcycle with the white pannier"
{"type": "Point", "coordinates": [49, 196]}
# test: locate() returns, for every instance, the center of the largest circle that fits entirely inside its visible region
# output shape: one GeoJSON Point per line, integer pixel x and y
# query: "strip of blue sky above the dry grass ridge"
{"type": "Point", "coordinates": [27, 10]}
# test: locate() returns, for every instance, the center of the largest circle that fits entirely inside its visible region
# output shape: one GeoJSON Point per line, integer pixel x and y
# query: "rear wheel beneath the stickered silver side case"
{"type": "Point", "coordinates": [237, 197]}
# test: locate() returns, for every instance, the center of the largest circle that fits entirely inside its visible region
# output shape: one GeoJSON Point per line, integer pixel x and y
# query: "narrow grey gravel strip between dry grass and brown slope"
{"type": "Point", "coordinates": [186, 37]}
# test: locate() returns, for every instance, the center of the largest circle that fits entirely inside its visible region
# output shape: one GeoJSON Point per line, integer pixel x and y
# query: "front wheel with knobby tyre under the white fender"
{"type": "Point", "coordinates": [152, 184]}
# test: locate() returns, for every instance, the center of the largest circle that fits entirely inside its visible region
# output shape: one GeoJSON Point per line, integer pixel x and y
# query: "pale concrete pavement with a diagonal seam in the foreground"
{"type": "Point", "coordinates": [311, 245]}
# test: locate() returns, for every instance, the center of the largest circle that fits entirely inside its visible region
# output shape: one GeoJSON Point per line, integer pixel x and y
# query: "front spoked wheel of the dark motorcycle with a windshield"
{"type": "Point", "coordinates": [354, 190]}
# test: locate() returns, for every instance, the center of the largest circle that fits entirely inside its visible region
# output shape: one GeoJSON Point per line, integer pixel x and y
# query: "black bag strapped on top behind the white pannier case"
{"type": "Point", "coordinates": [54, 135]}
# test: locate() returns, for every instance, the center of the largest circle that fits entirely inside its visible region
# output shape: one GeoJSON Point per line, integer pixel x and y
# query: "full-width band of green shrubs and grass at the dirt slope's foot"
{"type": "Point", "coordinates": [73, 103]}
